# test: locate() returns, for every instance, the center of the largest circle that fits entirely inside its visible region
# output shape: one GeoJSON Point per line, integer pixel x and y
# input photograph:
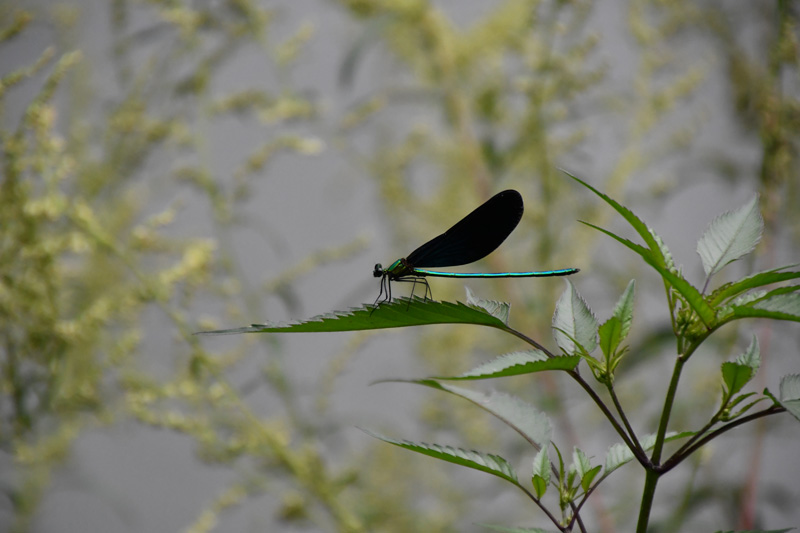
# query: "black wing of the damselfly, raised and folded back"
{"type": "Point", "coordinates": [475, 236]}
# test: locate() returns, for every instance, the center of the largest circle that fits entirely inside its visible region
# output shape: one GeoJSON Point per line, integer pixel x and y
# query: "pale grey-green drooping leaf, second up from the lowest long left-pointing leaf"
{"type": "Point", "coordinates": [524, 418]}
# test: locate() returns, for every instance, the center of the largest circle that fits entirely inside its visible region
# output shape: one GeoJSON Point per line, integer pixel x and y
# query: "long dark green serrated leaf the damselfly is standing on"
{"type": "Point", "coordinates": [401, 312]}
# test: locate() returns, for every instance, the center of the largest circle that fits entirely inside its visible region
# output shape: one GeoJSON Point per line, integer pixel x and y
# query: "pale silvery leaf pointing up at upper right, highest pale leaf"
{"type": "Point", "coordinates": [730, 236]}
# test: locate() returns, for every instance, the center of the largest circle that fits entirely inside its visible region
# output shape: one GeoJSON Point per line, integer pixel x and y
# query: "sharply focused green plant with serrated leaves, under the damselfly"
{"type": "Point", "coordinates": [695, 314]}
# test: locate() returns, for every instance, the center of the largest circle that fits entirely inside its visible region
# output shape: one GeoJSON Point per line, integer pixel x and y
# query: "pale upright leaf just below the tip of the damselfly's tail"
{"type": "Point", "coordinates": [574, 320]}
